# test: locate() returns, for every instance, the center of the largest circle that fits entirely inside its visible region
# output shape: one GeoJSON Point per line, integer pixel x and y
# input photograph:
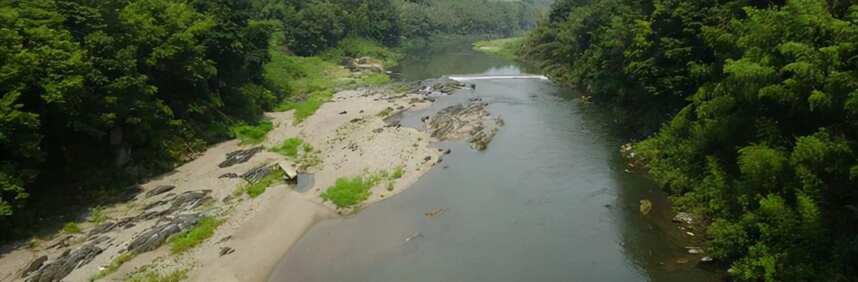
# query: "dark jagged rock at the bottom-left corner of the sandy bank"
{"type": "Point", "coordinates": [66, 263]}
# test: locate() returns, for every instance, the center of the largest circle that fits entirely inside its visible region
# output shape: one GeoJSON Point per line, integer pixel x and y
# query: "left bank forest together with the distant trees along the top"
{"type": "Point", "coordinates": [99, 94]}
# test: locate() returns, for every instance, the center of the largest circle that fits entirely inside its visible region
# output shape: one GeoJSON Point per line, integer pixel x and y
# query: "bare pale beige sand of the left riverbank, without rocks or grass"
{"type": "Point", "coordinates": [353, 138]}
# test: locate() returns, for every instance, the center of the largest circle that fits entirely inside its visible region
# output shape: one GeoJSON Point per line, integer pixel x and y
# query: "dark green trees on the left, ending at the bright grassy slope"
{"type": "Point", "coordinates": [123, 88]}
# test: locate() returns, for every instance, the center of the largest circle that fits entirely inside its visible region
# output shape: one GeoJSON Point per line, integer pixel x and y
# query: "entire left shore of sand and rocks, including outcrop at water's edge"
{"type": "Point", "coordinates": [354, 133]}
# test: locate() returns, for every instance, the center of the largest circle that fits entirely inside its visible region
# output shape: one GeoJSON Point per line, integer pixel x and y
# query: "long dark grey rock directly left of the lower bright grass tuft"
{"type": "Point", "coordinates": [154, 237]}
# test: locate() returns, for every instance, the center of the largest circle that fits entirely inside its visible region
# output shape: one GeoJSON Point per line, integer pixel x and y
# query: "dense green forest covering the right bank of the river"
{"type": "Point", "coordinates": [750, 112]}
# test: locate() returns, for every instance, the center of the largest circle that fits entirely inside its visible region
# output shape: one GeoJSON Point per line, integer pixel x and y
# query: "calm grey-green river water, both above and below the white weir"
{"type": "Point", "coordinates": [547, 201]}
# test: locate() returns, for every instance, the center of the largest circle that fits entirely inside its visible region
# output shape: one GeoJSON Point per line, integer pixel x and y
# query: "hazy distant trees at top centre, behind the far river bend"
{"type": "Point", "coordinates": [315, 25]}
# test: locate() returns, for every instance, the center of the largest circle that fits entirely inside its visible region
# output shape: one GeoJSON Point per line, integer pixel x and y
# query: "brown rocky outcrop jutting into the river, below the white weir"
{"type": "Point", "coordinates": [470, 121]}
